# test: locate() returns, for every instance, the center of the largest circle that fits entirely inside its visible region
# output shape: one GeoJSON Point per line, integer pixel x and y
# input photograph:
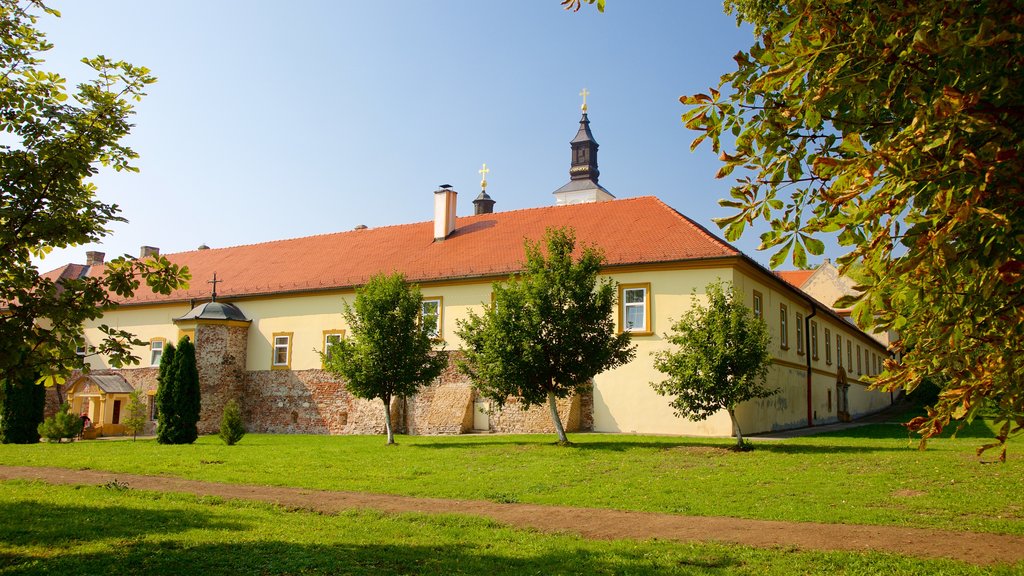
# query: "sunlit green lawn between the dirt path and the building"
{"type": "Point", "coordinates": [870, 475]}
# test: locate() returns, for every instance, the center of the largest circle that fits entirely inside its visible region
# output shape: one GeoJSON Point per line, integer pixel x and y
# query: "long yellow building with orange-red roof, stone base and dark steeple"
{"type": "Point", "coordinates": [279, 304]}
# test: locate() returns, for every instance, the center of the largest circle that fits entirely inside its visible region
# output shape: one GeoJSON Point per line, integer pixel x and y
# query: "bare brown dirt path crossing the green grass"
{"type": "Point", "coordinates": [589, 523]}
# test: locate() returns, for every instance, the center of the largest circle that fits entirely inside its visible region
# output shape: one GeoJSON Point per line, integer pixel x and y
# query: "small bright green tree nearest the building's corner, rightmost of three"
{"type": "Point", "coordinates": [721, 358]}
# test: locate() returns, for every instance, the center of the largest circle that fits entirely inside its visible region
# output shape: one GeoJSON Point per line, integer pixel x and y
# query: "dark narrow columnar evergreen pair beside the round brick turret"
{"type": "Point", "coordinates": [179, 399]}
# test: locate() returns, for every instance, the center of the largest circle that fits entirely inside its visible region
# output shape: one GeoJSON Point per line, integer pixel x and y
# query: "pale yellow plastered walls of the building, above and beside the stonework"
{"type": "Point", "coordinates": [624, 399]}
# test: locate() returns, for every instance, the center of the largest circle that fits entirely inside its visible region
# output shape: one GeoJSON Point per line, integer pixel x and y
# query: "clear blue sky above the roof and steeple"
{"type": "Point", "coordinates": [276, 120]}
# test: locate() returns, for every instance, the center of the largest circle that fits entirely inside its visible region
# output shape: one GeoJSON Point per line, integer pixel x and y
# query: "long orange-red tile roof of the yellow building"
{"type": "Point", "coordinates": [631, 232]}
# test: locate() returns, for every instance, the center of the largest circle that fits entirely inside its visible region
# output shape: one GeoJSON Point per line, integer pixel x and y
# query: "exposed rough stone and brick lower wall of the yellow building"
{"type": "Point", "coordinates": [317, 402]}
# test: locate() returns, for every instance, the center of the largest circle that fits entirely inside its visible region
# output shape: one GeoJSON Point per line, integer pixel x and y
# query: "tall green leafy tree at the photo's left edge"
{"type": "Point", "coordinates": [53, 148]}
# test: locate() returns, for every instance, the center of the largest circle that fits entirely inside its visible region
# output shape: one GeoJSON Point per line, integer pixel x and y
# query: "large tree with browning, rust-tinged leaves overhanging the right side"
{"type": "Point", "coordinates": [900, 129]}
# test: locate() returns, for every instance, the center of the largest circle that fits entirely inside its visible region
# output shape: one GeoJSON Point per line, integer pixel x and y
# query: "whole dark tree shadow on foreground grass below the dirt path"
{"type": "Point", "coordinates": [145, 542]}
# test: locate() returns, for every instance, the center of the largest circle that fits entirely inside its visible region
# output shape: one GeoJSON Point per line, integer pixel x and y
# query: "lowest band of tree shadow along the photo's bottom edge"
{"type": "Point", "coordinates": [285, 558]}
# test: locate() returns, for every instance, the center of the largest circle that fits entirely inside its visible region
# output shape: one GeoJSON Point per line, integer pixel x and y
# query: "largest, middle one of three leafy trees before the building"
{"type": "Point", "coordinates": [549, 332]}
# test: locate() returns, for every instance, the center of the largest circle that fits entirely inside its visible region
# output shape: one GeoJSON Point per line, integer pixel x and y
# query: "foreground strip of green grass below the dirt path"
{"type": "Point", "coordinates": [97, 530]}
